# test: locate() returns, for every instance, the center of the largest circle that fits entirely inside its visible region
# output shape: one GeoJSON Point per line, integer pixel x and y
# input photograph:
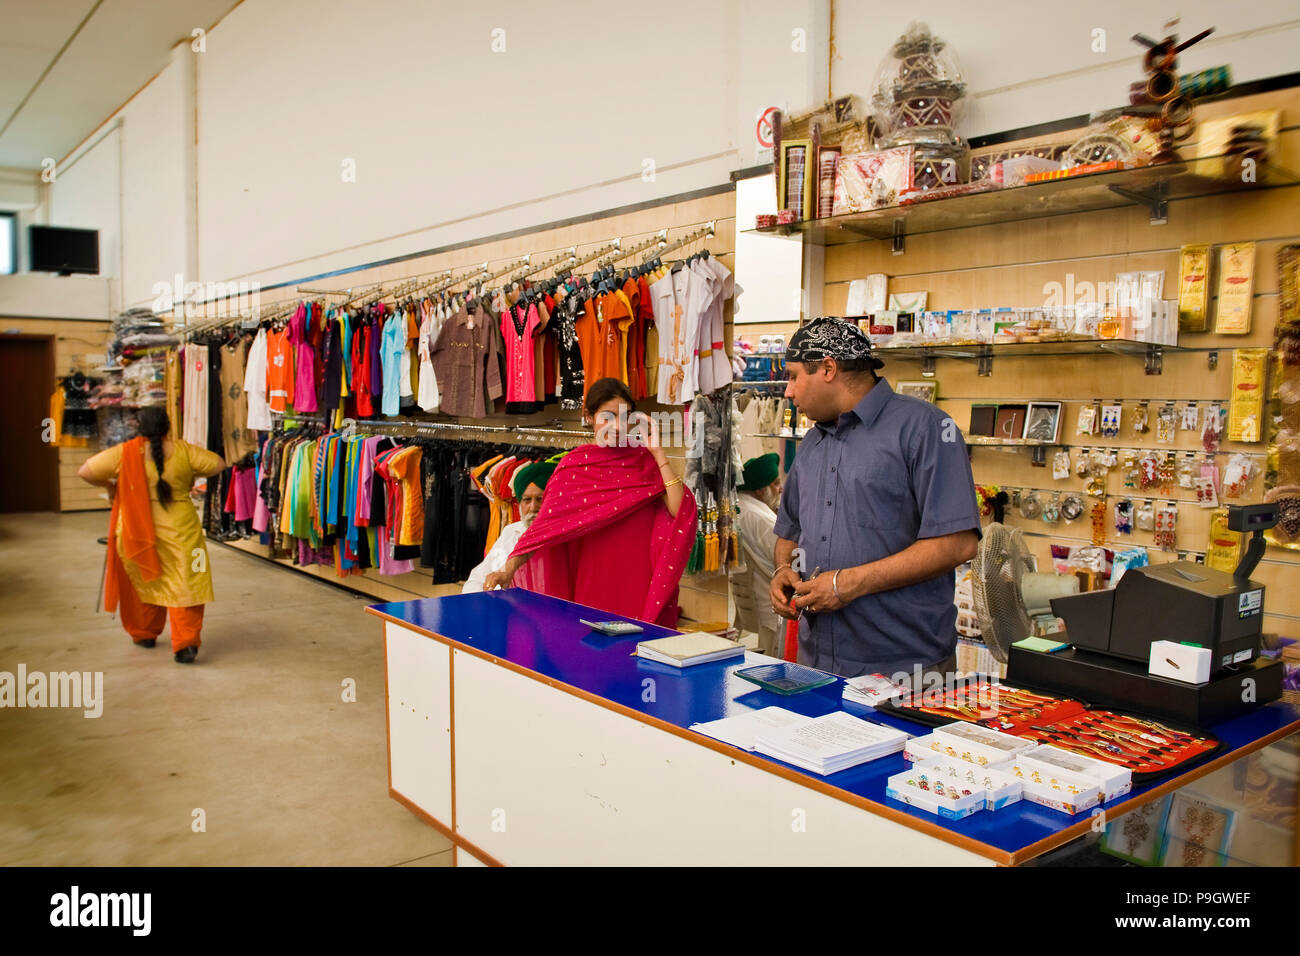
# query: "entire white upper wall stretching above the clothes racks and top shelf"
{"type": "Point", "coordinates": [453, 141]}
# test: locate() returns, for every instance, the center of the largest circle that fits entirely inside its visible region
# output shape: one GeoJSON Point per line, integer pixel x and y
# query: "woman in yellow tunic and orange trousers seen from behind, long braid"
{"type": "Point", "coordinates": [158, 559]}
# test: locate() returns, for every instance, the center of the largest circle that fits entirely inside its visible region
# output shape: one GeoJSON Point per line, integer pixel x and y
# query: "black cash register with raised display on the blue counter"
{"type": "Point", "coordinates": [1112, 633]}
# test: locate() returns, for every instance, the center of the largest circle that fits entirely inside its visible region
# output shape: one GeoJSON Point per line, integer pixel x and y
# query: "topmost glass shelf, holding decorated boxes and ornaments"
{"type": "Point", "coordinates": [1152, 188]}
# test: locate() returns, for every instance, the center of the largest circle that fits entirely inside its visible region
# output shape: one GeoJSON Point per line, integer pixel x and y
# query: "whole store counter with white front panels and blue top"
{"type": "Point", "coordinates": [528, 739]}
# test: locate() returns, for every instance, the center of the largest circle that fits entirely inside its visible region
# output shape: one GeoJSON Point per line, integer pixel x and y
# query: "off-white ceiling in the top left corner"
{"type": "Point", "coordinates": [98, 54]}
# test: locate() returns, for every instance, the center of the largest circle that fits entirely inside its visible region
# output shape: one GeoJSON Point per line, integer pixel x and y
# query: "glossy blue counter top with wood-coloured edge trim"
{"type": "Point", "coordinates": [543, 635]}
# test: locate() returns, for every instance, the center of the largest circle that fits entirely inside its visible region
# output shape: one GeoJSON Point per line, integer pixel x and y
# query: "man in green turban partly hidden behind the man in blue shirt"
{"type": "Point", "coordinates": [760, 496]}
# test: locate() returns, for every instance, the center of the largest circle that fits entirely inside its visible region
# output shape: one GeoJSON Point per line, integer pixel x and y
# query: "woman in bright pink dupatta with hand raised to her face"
{"type": "Point", "coordinates": [617, 525]}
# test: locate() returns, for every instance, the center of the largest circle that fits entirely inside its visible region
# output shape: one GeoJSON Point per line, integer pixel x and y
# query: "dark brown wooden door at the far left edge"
{"type": "Point", "coordinates": [29, 478]}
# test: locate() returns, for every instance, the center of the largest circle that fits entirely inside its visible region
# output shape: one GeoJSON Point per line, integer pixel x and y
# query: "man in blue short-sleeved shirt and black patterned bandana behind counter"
{"type": "Point", "coordinates": [877, 513]}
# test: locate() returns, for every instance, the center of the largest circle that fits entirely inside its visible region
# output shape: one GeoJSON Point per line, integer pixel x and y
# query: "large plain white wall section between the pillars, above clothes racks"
{"type": "Point", "coordinates": [450, 140]}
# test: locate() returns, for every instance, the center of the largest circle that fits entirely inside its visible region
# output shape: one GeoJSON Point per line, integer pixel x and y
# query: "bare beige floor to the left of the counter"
{"type": "Point", "coordinates": [255, 736]}
